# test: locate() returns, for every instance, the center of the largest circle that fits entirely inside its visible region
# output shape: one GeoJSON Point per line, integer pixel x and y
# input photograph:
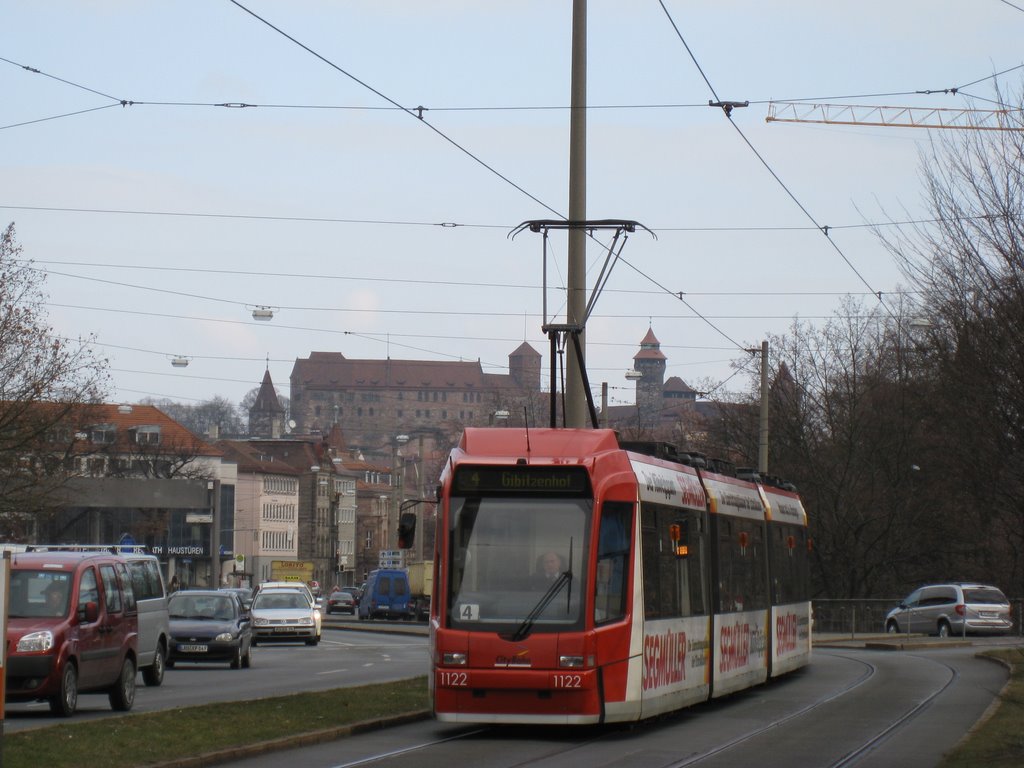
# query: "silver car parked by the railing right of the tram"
{"type": "Point", "coordinates": [952, 610]}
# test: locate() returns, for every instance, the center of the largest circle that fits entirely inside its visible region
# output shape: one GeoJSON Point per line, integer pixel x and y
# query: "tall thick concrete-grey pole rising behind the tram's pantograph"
{"type": "Point", "coordinates": [576, 406]}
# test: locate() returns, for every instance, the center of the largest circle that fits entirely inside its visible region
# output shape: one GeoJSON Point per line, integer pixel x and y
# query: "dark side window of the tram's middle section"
{"type": "Point", "coordinates": [743, 567]}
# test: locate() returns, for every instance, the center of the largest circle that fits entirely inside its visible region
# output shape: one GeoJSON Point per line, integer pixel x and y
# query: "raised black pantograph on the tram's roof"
{"type": "Point", "coordinates": [574, 331]}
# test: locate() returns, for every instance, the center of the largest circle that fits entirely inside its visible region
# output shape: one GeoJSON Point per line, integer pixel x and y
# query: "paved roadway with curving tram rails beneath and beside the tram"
{"type": "Point", "coordinates": [851, 706]}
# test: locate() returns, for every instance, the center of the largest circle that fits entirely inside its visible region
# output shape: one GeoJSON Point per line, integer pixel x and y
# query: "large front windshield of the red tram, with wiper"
{"type": "Point", "coordinates": [518, 561]}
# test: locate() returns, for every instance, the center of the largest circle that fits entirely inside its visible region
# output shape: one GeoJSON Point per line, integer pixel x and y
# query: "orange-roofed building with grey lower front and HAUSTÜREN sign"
{"type": "Point", "coordinates": [138, 477]}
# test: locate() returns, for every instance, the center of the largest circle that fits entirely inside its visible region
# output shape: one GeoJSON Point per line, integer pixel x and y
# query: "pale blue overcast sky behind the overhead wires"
{"type": "Point", "coordinates": [163, 218]}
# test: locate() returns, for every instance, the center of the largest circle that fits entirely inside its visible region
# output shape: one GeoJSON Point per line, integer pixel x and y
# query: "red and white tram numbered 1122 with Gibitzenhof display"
{"type": "Point", "coordinates": [578, 582]}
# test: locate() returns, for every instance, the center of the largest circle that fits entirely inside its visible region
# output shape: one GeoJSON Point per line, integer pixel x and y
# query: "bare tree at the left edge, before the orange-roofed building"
{"type": "Point", "coordinates": [44, 379]}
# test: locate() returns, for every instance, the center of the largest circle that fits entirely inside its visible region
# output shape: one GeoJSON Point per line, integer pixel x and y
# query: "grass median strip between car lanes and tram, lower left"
{"type": "Point", "coordinates": [133, 741]}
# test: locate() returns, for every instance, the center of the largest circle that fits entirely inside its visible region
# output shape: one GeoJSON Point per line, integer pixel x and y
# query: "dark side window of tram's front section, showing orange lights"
{"type": "Point", "coordinates": [673, 586]}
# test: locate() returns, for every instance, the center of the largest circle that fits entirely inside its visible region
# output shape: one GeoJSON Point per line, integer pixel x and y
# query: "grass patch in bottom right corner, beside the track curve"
{"type": "Point", "coordinates": [999, 742]}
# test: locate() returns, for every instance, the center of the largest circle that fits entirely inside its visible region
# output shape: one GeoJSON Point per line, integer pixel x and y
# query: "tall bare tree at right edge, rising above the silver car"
{"type": "Point", "coordinates": [969, 265]}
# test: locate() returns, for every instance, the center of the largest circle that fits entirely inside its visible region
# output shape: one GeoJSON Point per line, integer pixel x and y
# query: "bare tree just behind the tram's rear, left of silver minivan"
{"type": "Point", "coordinates": [846, 430]}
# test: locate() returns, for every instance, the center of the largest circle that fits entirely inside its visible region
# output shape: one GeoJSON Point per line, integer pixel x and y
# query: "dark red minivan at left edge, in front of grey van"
{"type": "Point", "coordinates": [72, 628]}
